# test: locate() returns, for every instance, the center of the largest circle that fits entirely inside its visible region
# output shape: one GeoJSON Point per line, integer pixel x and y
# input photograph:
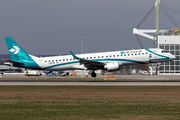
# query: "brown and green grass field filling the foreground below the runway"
{"type": "Point", "coordinates": [90, 102]}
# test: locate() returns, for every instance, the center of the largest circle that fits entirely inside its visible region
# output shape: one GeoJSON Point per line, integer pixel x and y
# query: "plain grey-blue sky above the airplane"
{"type": "Point", "coordinates": [49, 27]}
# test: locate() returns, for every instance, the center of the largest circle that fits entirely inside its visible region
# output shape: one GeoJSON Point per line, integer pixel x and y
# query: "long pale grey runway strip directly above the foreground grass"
{"type": "Point", "coordinates": [45, 83]}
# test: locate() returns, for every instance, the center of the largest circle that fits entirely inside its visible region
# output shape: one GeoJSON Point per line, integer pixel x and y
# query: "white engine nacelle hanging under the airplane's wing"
{"type": "Point", "coordinates": [114, 66]}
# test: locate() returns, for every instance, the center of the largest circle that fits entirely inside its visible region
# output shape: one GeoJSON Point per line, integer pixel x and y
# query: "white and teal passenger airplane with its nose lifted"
{"type": "Point", "coordinates": [109, 61]}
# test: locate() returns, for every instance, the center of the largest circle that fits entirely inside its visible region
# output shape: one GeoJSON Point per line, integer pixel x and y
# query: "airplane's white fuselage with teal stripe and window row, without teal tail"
{"type": "Point", "coordinates": [139, 56]}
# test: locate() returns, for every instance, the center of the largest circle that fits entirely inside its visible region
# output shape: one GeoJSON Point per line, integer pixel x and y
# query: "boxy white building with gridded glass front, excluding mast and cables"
{"type": "Point", "coordinates": [171, 43]}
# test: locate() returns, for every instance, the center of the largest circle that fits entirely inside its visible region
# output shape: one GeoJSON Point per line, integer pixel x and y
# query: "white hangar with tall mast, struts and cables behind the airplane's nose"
{"type": "Point", "coordinates": [168, 40]}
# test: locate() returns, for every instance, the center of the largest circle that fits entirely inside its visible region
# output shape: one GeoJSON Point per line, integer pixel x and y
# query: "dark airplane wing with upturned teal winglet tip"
{"type": "Point", "coordinates": [89, 64]}
